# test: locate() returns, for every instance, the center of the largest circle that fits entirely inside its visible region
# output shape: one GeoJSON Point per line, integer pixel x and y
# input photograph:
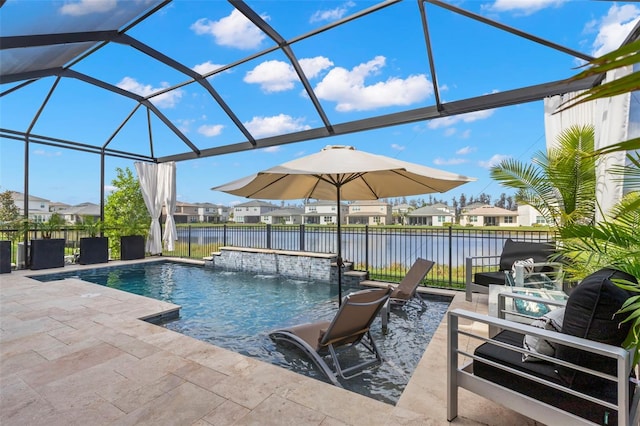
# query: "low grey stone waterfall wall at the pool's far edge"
{"type": "Point", "coordinates": [292, 264]}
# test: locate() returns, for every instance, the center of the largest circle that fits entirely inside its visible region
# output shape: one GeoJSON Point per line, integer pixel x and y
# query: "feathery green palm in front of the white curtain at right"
{"type": "Point", "coordinates": [559, 183]}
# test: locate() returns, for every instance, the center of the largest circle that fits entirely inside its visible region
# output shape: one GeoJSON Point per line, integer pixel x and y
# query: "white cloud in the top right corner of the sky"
{"type": "Point", "coordinates": [614, 28]}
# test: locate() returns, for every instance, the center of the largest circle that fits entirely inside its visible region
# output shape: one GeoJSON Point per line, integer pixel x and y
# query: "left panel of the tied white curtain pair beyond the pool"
{"type": "Point", "coordinates": [148, 178]}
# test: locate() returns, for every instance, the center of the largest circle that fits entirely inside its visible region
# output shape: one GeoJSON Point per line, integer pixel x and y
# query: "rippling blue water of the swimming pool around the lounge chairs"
{"type": "Point", "coordinates": [237, 310]}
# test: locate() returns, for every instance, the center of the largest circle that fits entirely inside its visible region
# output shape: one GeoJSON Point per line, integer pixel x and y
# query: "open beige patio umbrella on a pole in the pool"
{"type": "Point", "coordinates": [343, 173]}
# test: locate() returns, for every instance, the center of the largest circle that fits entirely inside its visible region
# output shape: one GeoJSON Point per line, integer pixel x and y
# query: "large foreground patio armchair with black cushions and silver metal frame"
{"type": "Point", "coordinates": [568, 367]}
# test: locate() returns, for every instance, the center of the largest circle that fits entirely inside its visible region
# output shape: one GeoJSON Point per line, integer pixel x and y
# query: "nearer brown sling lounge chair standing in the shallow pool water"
{"type": "Point", "coordinates": [348, 328]}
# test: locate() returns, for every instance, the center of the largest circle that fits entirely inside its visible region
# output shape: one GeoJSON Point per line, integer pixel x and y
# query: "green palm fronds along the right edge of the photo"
{"type": "Point", "coordinates": [615, 241]}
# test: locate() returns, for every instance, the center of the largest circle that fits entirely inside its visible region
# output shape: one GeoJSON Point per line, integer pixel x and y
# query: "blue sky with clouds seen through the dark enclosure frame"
{"type": "Point", "coordinates": [373, 66]}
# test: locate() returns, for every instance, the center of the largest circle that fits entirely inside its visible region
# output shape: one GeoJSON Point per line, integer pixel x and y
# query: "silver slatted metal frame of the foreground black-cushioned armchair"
{"type": "Point", "coordinates": [462, 376]}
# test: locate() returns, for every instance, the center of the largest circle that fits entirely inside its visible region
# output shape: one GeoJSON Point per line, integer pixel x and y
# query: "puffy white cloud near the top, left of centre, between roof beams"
{"type": "Point", "coordinates": [234, 30]}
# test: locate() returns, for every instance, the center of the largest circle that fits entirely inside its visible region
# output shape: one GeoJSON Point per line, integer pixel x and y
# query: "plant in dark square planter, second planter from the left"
{"type": "Point", "coordinates": [48, 252]}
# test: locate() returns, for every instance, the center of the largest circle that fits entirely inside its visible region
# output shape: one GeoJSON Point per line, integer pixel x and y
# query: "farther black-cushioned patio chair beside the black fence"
{"type": "Point", "coordinates": [483, 271]}
